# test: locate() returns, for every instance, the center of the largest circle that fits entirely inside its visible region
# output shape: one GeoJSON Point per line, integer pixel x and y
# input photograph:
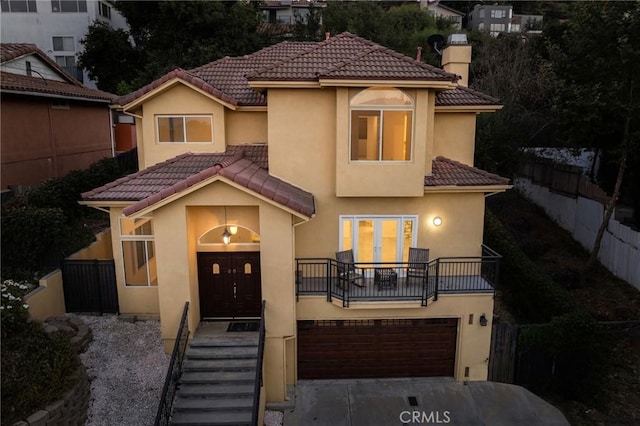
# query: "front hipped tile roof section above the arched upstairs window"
{"type": "Point", "coordinates": [349, 56]}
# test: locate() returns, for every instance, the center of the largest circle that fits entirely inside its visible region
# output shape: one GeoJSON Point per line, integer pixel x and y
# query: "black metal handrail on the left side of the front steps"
{"type": "Point", "coordinates": [174, 371]}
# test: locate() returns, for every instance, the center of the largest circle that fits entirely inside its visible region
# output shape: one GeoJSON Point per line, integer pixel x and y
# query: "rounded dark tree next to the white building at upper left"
{"type": "Point", "coordinates": [109, 57]}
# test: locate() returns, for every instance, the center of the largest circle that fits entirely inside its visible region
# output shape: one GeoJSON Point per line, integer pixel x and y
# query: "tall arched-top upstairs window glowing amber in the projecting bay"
{"type": "Point", "coordinates": [381, 125]}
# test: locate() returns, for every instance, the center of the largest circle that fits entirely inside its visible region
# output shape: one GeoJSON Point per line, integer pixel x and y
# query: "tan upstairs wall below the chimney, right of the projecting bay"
{"type": "Point", "coordinates": [455, 136]}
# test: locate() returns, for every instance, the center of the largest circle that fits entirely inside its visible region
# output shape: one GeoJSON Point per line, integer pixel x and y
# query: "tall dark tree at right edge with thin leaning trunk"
{"type": "Point", "coordinates": [597, 68]}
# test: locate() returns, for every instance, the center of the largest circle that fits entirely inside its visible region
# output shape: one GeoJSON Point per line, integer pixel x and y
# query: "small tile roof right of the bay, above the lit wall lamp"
{"type": "Point", "coordinates": [446, 172]}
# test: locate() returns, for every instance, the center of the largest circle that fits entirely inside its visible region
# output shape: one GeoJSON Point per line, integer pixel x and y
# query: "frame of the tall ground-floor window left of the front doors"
{"type": "Point", "coordinates": [144, 240]}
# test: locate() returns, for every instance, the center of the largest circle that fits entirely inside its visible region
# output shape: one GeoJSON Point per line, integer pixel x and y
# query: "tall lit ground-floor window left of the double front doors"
{"type": "Point", "coordinates": [138, 252]}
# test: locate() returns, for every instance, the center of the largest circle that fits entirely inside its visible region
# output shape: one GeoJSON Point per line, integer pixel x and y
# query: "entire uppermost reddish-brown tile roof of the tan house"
{"type": "Point", "coordinates": [344, 56]}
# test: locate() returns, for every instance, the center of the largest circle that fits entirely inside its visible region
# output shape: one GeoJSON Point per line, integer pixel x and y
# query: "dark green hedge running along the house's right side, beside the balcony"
{"type": "Point", "coordinates": [529, 293]}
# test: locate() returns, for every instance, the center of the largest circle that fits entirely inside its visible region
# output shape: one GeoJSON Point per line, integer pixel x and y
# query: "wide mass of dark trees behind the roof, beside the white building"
{"type": "Point", "coordinates": [168, 34]}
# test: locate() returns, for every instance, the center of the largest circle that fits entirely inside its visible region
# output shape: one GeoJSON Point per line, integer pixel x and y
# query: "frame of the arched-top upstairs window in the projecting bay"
{"type": "Point", "coordinates": [382, 108]}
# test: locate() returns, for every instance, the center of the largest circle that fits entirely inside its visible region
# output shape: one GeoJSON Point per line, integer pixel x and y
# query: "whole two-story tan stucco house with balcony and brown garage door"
{"type": "Point", "coordinates": [256, 170]}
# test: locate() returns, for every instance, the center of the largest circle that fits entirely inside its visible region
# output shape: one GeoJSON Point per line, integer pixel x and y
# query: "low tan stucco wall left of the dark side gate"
{"type": "Point", "coordinates": [48, 299]}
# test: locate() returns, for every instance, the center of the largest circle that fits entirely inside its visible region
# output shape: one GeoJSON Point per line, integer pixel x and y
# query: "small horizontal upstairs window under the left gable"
{"type": "Point", "coordinates": [184, 129]}
